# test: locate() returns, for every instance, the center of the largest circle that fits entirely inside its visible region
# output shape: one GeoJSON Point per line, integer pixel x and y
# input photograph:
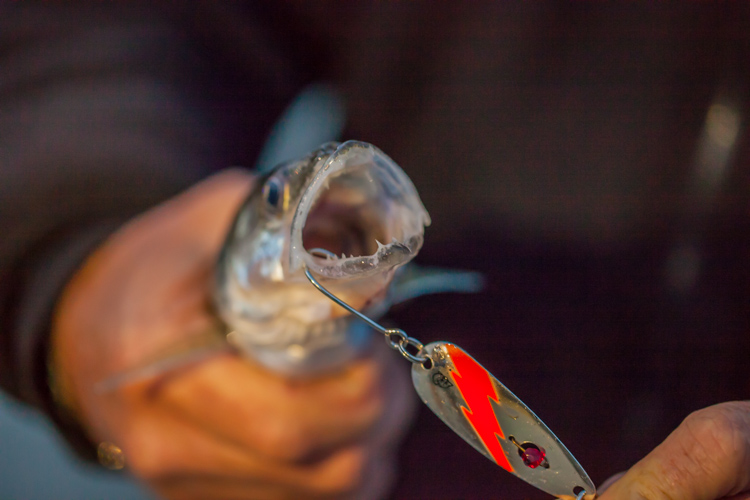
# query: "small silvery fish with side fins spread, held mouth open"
{"type": "Point", "coordinates": [352, 217]}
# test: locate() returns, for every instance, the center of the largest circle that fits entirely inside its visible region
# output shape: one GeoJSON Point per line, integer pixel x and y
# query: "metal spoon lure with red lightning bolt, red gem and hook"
{"type": "Point", "coordinates": [485, 413]}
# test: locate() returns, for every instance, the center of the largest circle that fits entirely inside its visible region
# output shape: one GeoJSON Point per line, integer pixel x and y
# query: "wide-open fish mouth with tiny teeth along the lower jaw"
{"type": "Point", "coordinates": [362, 210]}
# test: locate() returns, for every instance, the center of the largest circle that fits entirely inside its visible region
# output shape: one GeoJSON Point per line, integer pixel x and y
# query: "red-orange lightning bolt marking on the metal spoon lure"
{"type": "Point", "coordinates": [476, 387]}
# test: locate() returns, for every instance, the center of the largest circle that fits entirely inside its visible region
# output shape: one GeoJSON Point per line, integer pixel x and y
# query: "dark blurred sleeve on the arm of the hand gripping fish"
{"type": "Point", "coordinates": [104, 112]}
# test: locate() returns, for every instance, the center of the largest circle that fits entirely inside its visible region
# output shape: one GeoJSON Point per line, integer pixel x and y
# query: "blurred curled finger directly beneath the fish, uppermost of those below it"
{"type": "Point", "coordinates": [287, 420]}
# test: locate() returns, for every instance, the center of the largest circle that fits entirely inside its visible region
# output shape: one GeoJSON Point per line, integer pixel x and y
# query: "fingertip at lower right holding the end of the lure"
{"type": "Point", "coordinates": [706, 458]}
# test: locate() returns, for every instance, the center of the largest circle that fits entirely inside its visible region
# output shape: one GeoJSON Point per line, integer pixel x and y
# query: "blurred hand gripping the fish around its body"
{"type": "Point", "coordinates": [225, 427]}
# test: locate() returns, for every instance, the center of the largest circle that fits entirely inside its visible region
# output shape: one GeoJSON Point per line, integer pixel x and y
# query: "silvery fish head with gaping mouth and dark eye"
{"type": "Point", "coordinates": [346, 212]}
